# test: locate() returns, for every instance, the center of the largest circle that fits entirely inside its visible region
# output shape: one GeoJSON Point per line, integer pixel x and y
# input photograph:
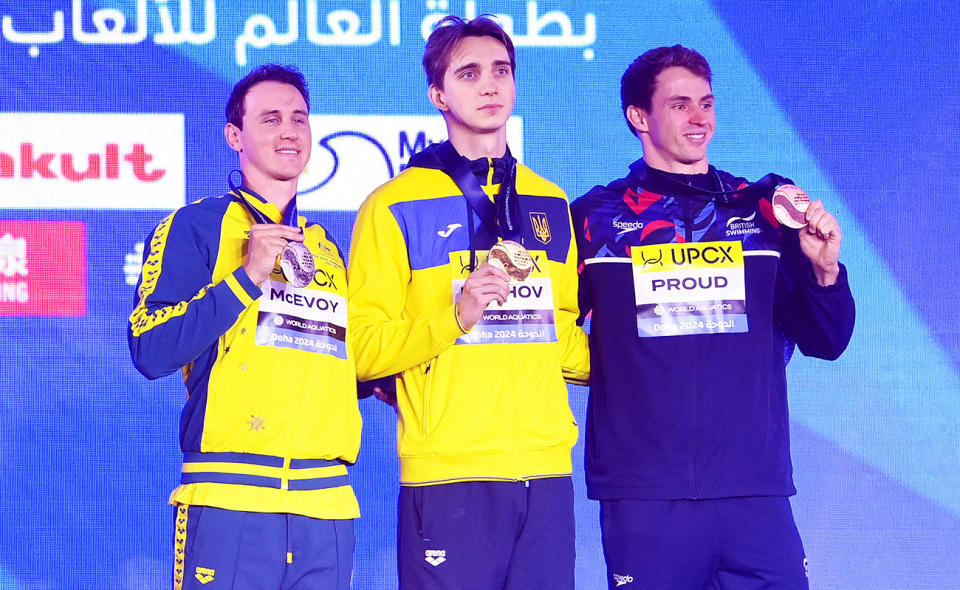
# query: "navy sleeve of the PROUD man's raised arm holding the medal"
{"type": "Point", "coordinates": [820, 319]}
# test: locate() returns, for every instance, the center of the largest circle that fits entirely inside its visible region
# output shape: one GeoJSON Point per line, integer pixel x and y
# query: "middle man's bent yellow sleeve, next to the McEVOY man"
{"type": "Point", "coordinates": [387, 340]}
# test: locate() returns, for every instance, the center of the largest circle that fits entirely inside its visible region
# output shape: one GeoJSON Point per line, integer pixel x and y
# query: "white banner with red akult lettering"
{"type": "Point", "coordinates": [92, 161]}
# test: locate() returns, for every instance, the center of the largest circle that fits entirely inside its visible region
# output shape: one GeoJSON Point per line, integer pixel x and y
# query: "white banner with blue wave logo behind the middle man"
{"type": "Point", "coordinates": [353, 155]}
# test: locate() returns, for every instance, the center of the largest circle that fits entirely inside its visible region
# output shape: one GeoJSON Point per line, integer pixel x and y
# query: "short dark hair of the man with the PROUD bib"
{"type": "Point", "coordinates": [639, 81]}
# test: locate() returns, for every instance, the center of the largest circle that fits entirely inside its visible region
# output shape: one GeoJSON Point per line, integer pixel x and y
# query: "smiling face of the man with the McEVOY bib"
{"type": "Point", "coordinates": [275, 142]}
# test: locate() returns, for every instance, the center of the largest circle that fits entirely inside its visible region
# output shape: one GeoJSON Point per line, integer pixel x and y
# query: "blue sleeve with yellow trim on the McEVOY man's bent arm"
{"type": "Point", "coordinates": [180, 311]}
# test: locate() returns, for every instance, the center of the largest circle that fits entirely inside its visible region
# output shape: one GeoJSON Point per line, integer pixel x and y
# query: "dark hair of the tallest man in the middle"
{"type": "Point", "coordinates": [450, 31]}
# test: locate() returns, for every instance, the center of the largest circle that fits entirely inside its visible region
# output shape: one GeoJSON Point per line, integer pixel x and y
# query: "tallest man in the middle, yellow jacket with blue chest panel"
{"type": "Point", "coordinates": [463, 285]}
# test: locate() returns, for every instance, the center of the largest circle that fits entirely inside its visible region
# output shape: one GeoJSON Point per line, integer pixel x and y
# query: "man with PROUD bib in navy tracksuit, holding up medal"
{"type": "Point", "coordinates": [700, 284]}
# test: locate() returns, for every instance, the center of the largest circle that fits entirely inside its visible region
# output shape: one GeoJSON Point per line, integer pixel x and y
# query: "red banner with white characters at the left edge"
{"type": "Point", "coordinates": [43, 268]}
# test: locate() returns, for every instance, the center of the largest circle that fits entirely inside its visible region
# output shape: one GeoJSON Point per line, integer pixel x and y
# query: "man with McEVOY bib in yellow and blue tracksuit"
{"type": "Point", "coordinates": [248, 300]}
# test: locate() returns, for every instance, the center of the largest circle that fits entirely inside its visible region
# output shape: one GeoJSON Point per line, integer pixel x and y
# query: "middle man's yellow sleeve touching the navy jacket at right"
{"type": "Point", "coordinates": [574, 346]}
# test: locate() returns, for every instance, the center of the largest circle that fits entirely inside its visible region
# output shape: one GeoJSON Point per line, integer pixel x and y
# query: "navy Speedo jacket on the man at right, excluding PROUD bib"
{"type": "Point", "coordinates": [696, 415]}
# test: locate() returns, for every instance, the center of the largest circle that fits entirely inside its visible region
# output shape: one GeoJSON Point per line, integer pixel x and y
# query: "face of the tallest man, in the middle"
{"type": "Point", "coordinates": [478, 87]}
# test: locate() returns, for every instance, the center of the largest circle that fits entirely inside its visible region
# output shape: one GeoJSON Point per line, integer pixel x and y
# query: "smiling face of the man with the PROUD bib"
{"type": "Point", "coordinates": [677, 129]}
